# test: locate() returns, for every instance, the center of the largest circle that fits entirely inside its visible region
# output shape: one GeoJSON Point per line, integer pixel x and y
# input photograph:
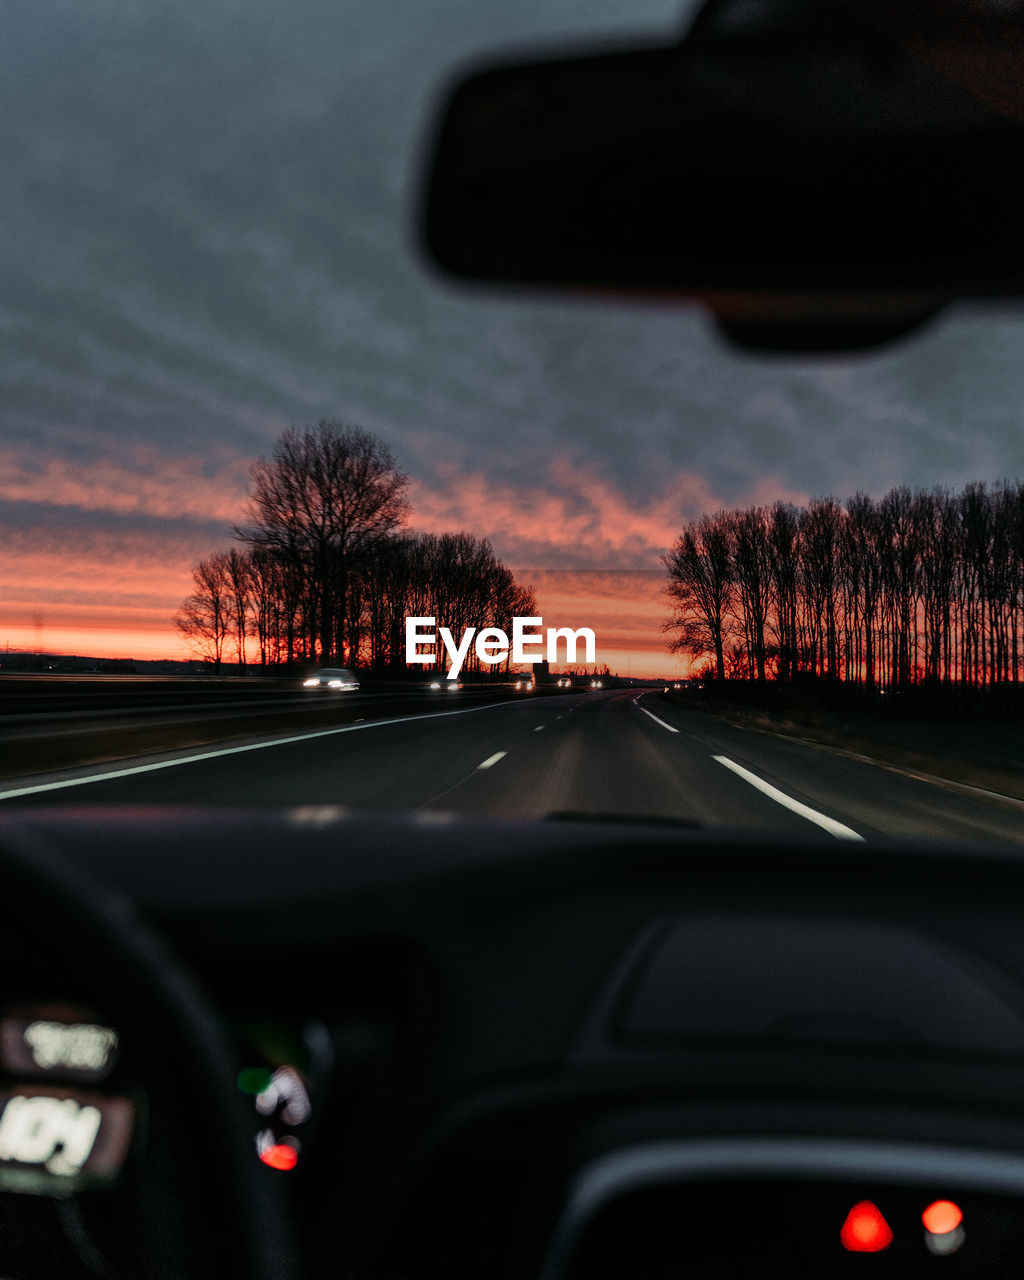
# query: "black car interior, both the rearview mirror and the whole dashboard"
{"type": "Point", "coordinates": [321, 1044]}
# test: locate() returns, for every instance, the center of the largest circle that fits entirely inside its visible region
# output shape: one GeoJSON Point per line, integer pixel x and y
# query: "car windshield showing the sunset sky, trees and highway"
{"type": "Point", "coordinates": [291, 520]}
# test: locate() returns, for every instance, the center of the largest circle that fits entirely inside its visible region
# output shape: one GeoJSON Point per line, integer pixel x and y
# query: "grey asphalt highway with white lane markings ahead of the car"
{"type": "Point", "coordinates": [618, 753]}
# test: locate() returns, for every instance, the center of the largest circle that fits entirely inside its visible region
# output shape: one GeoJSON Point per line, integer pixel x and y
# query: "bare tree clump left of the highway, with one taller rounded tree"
{"type": "Point", "coordinates": [326, 570]}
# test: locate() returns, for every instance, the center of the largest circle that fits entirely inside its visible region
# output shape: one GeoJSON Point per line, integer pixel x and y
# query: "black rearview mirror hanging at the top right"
{"type": "Point", "coordinates": [820, 175]}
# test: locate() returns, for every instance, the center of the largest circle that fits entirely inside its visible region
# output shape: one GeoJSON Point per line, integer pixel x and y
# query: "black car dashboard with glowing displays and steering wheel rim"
{"type": "Point", "coordinates": [413, 1048]}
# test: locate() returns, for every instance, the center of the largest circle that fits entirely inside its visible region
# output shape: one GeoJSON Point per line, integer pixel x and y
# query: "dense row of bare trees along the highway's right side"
{"type": "Point", "coordinates": [915, 588]}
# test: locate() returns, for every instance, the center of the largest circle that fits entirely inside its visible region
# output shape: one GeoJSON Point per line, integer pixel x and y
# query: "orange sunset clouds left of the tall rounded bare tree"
{"type": "Point", "coordinates": [97, 554]}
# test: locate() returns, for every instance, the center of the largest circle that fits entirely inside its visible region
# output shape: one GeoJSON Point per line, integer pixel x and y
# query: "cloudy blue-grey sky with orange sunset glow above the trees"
{"type": "Point", "coordinates": [207, 214]}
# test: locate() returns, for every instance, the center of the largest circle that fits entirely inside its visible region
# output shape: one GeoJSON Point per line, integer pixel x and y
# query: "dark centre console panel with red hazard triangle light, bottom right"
{"type": "Point", "coordinates": [798, 1228]}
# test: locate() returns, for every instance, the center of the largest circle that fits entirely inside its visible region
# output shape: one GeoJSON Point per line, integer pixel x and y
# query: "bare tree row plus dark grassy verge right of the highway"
{"type": "Point", "coordinates": [890, 628]}
